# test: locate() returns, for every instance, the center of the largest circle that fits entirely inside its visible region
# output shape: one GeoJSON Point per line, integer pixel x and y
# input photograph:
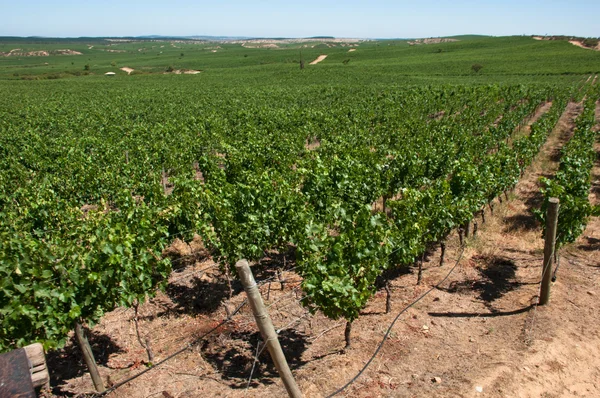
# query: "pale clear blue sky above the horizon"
{"type": "Point", "coordinates": [264, 18]}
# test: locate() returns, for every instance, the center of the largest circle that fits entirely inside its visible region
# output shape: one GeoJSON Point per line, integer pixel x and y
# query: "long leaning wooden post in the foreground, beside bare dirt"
{"type": "Point", "coordinates": [265, 325]}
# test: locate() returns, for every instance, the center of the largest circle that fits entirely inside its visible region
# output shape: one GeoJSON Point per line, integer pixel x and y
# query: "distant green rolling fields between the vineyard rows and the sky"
{"type": "Point", "coordinates": [502, 60]}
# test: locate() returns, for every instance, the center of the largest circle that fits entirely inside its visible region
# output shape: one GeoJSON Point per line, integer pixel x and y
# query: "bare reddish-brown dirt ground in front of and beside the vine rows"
{"type": "Point", "coordinates": [480, 334]}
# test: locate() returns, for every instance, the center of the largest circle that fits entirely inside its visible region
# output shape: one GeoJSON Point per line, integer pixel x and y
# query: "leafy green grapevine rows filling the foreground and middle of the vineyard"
{"type": "Point", "coordinates": [349, 184]}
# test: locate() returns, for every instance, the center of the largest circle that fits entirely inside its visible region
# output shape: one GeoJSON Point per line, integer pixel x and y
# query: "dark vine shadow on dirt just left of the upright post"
{"type": "Point", "coordinates": [497, 277]}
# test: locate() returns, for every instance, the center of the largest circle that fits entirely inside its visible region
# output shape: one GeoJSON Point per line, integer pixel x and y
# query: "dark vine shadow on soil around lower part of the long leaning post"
{"type": "Point", "coordinates": [235, 359]}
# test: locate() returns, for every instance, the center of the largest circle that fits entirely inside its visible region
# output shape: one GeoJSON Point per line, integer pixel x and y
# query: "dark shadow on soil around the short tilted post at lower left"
{"type": "Point", "coordinates": [68, 363]}
